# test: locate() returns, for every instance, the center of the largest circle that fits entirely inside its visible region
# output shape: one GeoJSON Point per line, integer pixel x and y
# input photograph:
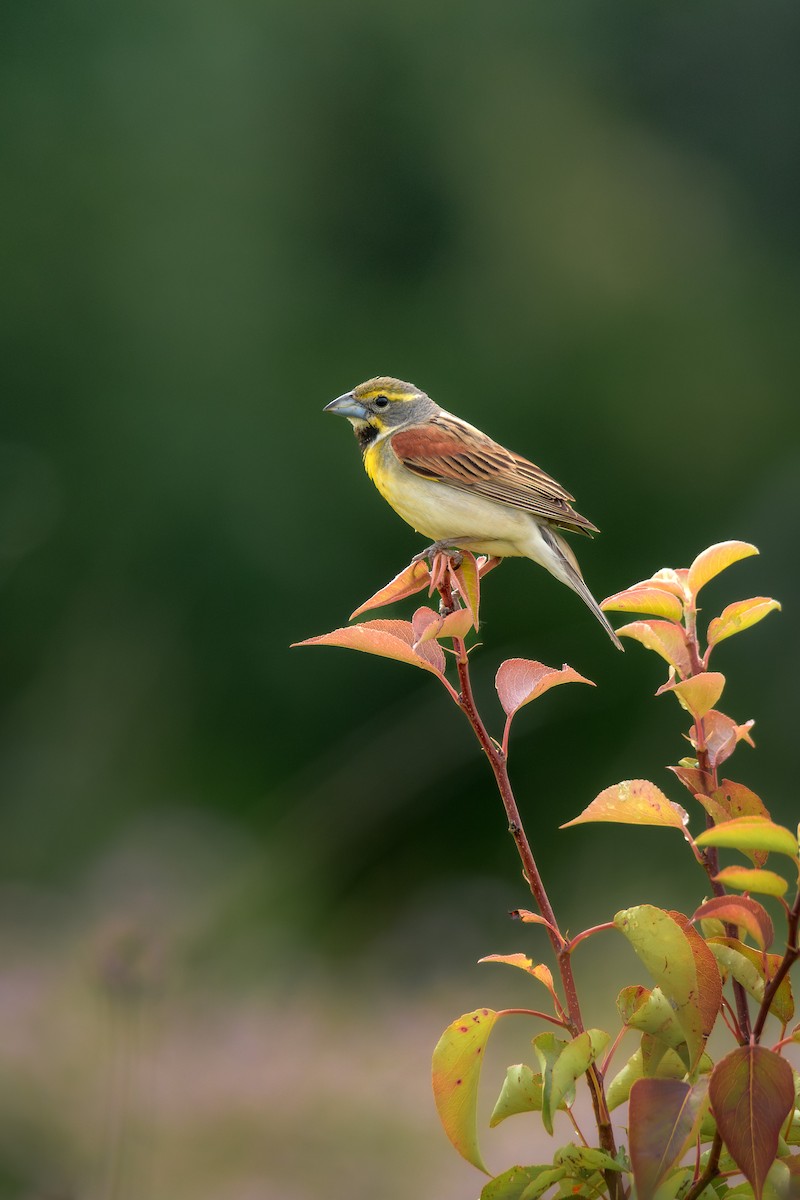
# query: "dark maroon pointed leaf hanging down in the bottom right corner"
{"type": "Point", "coordinates": [753, 1094]}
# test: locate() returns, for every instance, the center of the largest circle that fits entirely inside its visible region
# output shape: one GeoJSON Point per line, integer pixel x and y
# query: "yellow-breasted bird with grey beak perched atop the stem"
{"type": "Point", "coordinates": [454, 484]}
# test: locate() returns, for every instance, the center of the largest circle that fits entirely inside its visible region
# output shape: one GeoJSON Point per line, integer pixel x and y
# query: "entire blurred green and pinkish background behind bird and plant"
{"type": "Point", "coordinates": [244, 887]}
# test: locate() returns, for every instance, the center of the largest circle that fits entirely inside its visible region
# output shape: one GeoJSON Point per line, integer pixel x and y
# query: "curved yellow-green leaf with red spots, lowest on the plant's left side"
{"type": "Point", "coordinates": [458, 1063]}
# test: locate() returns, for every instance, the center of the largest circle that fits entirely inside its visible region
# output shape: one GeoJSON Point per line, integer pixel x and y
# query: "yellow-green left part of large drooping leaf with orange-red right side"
{"type": "Point", "coordinates": [666, 952]}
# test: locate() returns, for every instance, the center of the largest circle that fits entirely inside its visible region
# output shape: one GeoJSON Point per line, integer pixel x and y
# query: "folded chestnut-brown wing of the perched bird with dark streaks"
{"type": "Point", "coordinates": [452, 452]}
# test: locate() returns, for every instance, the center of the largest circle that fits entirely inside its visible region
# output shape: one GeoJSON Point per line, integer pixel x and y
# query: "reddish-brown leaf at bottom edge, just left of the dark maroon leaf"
{"type": "Point", "coordinates": [663, 1120]}
